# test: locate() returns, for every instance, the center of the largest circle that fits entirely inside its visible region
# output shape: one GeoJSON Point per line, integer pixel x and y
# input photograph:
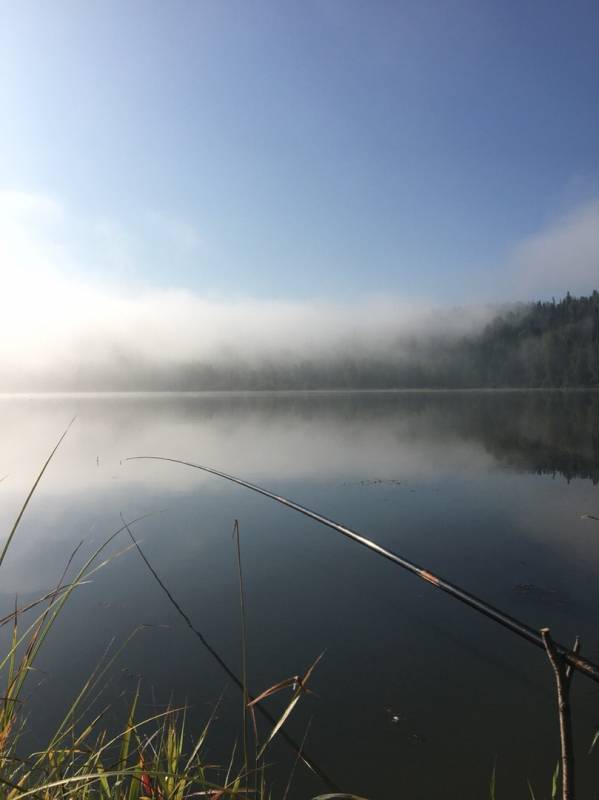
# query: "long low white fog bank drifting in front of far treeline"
{"type": "Point", "coordinates": [56, 334]}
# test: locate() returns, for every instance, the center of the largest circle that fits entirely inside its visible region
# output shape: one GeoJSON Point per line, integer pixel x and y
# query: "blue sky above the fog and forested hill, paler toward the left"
{"type": "Point", "coordinates": [445, 151]}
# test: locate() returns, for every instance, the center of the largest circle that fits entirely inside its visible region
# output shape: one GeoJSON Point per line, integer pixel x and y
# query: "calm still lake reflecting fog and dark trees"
{"type": "Point", "coordinates": [416, 695]}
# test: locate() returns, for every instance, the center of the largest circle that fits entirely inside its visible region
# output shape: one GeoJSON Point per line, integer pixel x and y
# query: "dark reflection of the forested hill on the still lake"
{"type": "Point", "coordinates": [546, 432]}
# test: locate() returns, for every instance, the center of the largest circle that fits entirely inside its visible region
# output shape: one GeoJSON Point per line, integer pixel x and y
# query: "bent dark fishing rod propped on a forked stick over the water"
{"type": "Point", "coordinates": [576, 661]}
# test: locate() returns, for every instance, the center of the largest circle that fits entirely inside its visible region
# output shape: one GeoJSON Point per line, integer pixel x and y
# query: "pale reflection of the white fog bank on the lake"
{"type": "Point", "coordinates": [269, 436]}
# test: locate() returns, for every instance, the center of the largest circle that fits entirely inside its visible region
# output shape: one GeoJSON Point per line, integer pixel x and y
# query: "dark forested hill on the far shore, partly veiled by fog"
{"type": "Point", "coordinates": [536, 345]}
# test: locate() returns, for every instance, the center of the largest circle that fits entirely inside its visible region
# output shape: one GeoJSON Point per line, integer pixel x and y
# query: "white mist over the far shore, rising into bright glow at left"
{"type": "Point", "coordinates": [64, 329]}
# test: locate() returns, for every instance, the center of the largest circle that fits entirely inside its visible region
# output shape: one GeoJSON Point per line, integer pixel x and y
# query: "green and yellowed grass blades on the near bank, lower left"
{"type": "Point", "coordinates": [153, 757]}
